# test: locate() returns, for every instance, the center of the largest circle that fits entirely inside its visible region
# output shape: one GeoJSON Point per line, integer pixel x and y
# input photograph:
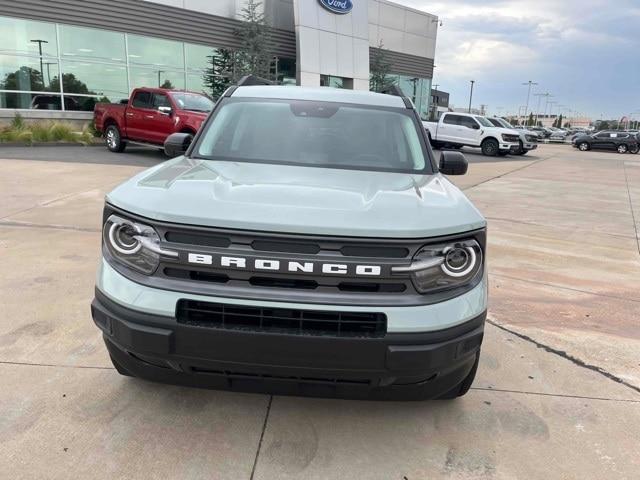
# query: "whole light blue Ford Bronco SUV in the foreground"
{"type": "Point", "coordinates": [306, 242]}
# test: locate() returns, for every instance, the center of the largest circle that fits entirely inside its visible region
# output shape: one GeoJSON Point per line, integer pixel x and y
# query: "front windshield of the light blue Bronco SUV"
{"type": "Point", "coordinates": [321, 134]}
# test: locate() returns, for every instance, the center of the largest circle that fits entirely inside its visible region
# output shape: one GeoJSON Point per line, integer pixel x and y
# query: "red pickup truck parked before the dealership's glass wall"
{"type": "Point", "coordinates": [150, 116]}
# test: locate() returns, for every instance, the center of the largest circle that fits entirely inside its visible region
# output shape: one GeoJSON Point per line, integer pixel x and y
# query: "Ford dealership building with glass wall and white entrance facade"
{"type": "Point", "coordinates": [103, 50]}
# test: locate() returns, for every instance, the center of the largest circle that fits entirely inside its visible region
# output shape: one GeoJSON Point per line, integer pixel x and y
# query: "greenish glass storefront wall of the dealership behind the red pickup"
{"type": "Point", "coordinates": [55, 66]}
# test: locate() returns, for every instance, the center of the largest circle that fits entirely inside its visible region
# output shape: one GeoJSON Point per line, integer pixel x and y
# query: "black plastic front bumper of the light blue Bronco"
{"type": "Point", "coordinates": [413, 366]}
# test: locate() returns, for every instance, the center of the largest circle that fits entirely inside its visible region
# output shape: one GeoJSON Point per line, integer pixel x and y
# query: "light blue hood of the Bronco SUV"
{"type": "Point", "coordinates": [292, 199]}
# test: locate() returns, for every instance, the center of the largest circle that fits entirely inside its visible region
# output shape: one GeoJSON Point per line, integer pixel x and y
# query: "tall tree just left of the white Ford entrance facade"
{"type": "Point", "coordinates": [255, 56]}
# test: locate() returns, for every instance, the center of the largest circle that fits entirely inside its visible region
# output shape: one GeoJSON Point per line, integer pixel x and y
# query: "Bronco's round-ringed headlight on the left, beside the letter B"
{"type": "Point", "coordinates": [133, 244]}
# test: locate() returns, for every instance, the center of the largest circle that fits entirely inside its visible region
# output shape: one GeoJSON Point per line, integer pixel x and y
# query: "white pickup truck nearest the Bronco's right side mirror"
{"type": "Point", "coordinates": [464, 129]}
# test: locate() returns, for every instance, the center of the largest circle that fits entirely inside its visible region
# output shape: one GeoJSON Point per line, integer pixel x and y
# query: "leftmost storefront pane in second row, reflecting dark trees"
{"type": "Point", "coordinates": [28, 73]}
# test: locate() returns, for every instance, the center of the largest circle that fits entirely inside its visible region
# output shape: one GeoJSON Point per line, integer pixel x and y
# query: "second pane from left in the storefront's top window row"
{"type": "Point", "coordinates": [83, 42]}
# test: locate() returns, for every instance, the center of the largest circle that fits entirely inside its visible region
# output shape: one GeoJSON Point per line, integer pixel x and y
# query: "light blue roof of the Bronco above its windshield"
{"type": "Point", "coordinates": [319, 94]}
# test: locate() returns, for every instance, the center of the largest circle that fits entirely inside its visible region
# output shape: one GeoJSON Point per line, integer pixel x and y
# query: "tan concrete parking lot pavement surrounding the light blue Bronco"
{"type": "Point", "coordinates": [558, 389]}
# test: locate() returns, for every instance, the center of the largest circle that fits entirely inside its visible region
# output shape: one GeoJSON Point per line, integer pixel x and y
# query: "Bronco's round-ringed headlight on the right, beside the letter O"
{"type": "Point", "coordinates": [445, 266]}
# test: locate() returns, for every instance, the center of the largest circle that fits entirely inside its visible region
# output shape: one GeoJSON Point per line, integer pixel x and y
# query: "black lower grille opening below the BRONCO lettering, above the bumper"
{"type": "Point", "coordinates": [281, 320]}
